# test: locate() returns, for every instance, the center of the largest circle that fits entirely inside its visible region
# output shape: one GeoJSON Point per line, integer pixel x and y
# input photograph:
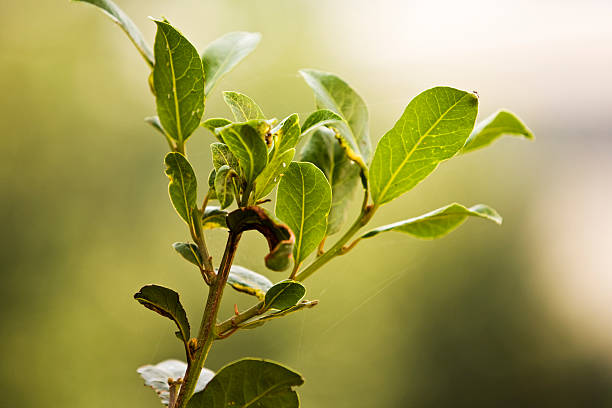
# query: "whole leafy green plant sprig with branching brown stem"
{"type": "Point", "coordinates": [254, 154]}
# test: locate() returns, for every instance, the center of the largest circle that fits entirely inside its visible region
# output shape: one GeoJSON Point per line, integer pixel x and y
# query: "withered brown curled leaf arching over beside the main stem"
{"type": "Point", "coordinates": [279, 236]}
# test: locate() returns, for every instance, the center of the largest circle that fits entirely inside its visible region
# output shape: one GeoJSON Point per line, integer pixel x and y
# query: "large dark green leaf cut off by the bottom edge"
{"type": "Point", "coordinates": [250, 383]}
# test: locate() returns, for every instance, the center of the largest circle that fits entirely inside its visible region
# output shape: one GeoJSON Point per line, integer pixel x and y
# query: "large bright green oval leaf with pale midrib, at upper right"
{"type": "Point", "coordinates": [433, 128]}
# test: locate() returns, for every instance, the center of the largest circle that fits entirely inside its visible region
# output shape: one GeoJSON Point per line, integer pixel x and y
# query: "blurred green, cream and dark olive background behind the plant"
{"type": "Point", "coordinates": [518, 315]}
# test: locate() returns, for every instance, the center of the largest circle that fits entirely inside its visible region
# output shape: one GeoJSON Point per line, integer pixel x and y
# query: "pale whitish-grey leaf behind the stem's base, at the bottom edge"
{"type": "Point", "coordinates": [157, 376]}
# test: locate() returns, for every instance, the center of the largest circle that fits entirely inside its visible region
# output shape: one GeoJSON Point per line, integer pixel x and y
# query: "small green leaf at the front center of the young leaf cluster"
{"type": "Point", "coordinates": [246, 142]}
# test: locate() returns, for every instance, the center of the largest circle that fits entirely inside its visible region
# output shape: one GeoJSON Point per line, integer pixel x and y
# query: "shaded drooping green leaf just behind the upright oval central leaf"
{"type": "Point", "coordinates": [325, 152]}
